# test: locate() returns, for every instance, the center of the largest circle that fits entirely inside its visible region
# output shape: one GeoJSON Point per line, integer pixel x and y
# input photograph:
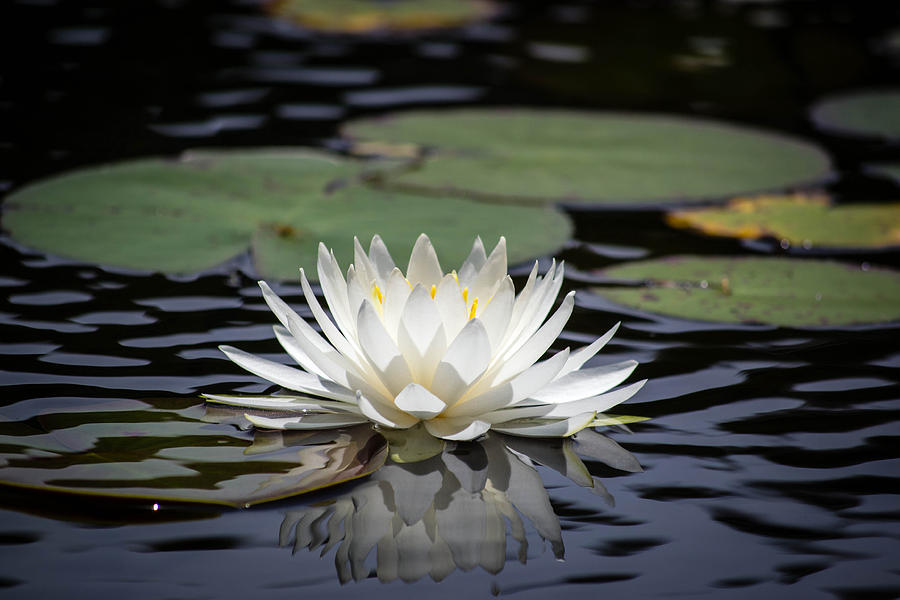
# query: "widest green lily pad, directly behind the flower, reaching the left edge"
{"type": "Point", "coordinates": [197, 212]}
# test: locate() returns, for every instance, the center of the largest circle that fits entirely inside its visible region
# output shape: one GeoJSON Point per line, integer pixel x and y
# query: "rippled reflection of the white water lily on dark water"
{"type": "Point", "coordinates": [450, 511]}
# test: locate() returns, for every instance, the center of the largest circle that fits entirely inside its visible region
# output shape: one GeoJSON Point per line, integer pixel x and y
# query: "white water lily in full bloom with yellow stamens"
{"type": "Point", "coordinates": [458, 352]}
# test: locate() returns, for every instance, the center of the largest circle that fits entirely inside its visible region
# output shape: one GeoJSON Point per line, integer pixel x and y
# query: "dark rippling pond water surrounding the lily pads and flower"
{"type": "Point", "coordinates": [771, 456]}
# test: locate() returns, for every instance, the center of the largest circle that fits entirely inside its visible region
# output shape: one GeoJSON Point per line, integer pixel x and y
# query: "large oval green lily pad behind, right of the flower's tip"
{"type": "Point", "coordinates": [610, 158]}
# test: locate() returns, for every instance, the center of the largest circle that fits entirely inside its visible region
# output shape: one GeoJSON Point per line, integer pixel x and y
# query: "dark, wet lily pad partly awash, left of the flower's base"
{"type": "Point", "coordinates": [163, 455]}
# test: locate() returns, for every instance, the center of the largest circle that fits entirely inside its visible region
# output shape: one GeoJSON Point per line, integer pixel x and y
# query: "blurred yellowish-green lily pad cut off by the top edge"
{"type": "Point", "coordinates": [361, 16]}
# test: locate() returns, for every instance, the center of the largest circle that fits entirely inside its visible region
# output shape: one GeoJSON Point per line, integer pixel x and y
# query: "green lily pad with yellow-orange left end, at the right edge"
{"type": "Point", "coordinates": [810, 221]}
